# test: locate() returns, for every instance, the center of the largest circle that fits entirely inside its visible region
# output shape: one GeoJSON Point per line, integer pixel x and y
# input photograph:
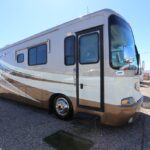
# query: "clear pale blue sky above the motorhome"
{"type": "Point", "coordinates": [22, 18]}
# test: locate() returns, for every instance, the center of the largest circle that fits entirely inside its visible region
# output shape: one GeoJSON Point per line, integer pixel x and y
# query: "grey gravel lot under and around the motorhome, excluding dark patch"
{"type": "Point", "coordinates": [23, 127]}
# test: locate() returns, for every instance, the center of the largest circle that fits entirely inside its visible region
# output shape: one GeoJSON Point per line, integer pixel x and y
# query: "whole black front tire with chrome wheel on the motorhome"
{"type": "Point", "coordinates": [63, 107]}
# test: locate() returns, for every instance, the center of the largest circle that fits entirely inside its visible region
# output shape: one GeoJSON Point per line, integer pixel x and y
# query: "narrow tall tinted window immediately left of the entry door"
{"type": "Point", "coordinates": [70, 50]}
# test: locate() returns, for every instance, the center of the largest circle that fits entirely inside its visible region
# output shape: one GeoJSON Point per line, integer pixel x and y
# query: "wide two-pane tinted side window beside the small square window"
{"type": "Point", "coordinates": [37, 55]}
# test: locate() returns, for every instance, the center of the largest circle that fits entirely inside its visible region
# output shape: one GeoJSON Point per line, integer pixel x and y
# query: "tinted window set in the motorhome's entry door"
{"type": "Point", "coordinates": [89, 48]}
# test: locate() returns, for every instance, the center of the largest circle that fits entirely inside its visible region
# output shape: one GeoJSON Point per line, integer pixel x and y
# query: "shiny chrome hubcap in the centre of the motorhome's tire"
{"type": "Point", "coordinates": [62, 106]}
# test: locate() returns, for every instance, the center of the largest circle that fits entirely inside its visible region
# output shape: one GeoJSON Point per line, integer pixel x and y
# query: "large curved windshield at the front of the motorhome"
{"type": "Point", "coordinates": [122, 46]}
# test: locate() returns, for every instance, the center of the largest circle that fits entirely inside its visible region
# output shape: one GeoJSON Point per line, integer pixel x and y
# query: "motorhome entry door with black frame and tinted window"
{"type": "Point", "coordinates": [90, 70]}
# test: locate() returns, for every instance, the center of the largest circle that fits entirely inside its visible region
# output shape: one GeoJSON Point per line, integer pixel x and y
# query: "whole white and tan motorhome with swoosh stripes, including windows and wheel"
{"type": "Point", "coordinates": [87, 65]}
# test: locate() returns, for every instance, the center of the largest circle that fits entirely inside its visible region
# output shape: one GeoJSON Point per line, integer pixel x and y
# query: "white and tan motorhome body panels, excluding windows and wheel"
{"type": "Point", "coordinates": [93, 88]}
